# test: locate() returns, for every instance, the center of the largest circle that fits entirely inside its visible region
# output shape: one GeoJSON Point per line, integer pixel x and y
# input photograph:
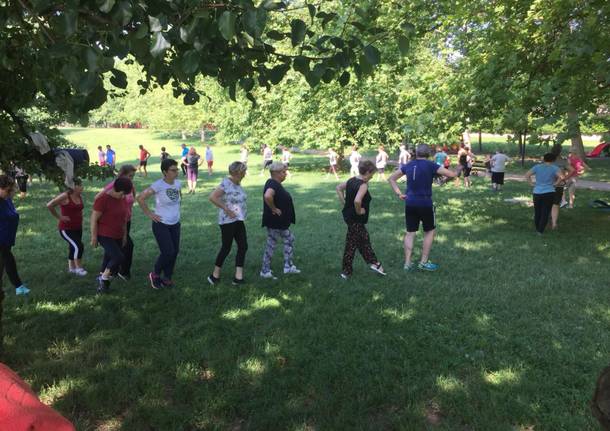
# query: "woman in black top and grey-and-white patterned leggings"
{"type": "Point", "coordinates": [278, 215]}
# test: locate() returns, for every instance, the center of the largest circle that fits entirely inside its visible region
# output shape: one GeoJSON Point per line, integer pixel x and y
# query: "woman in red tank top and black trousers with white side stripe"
{"type": "Point", "coordinates": [70, 224]}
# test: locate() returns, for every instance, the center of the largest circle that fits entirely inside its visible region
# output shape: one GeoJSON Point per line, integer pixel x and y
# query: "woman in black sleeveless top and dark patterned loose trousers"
{"type": "Point", "coordinates": [356, 199]}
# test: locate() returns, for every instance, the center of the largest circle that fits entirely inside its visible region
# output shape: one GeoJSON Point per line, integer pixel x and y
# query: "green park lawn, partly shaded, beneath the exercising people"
{"type": "Point", "coordinates": [509, 334]}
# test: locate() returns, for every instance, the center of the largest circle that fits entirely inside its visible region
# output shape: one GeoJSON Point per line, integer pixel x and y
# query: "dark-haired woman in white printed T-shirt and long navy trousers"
{"type": "Point", "coordinates": [166, 222]}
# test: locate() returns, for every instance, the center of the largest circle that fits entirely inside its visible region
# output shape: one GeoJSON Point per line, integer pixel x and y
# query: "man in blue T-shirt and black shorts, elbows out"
{"type": "Point", "coordinates": [418, 203]}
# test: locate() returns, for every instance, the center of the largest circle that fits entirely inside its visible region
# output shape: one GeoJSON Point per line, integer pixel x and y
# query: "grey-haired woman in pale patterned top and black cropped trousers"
{"type": "Point", "coordinates": [230, 198]}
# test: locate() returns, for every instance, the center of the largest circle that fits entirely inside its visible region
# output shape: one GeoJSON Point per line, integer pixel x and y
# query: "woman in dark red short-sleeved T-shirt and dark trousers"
{"type": "Point", "coordinates": [109, 229]}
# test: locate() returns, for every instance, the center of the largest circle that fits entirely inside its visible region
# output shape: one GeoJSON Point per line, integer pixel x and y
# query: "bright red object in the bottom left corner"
{"type": "Point", "coordinates": [21, 410]}
